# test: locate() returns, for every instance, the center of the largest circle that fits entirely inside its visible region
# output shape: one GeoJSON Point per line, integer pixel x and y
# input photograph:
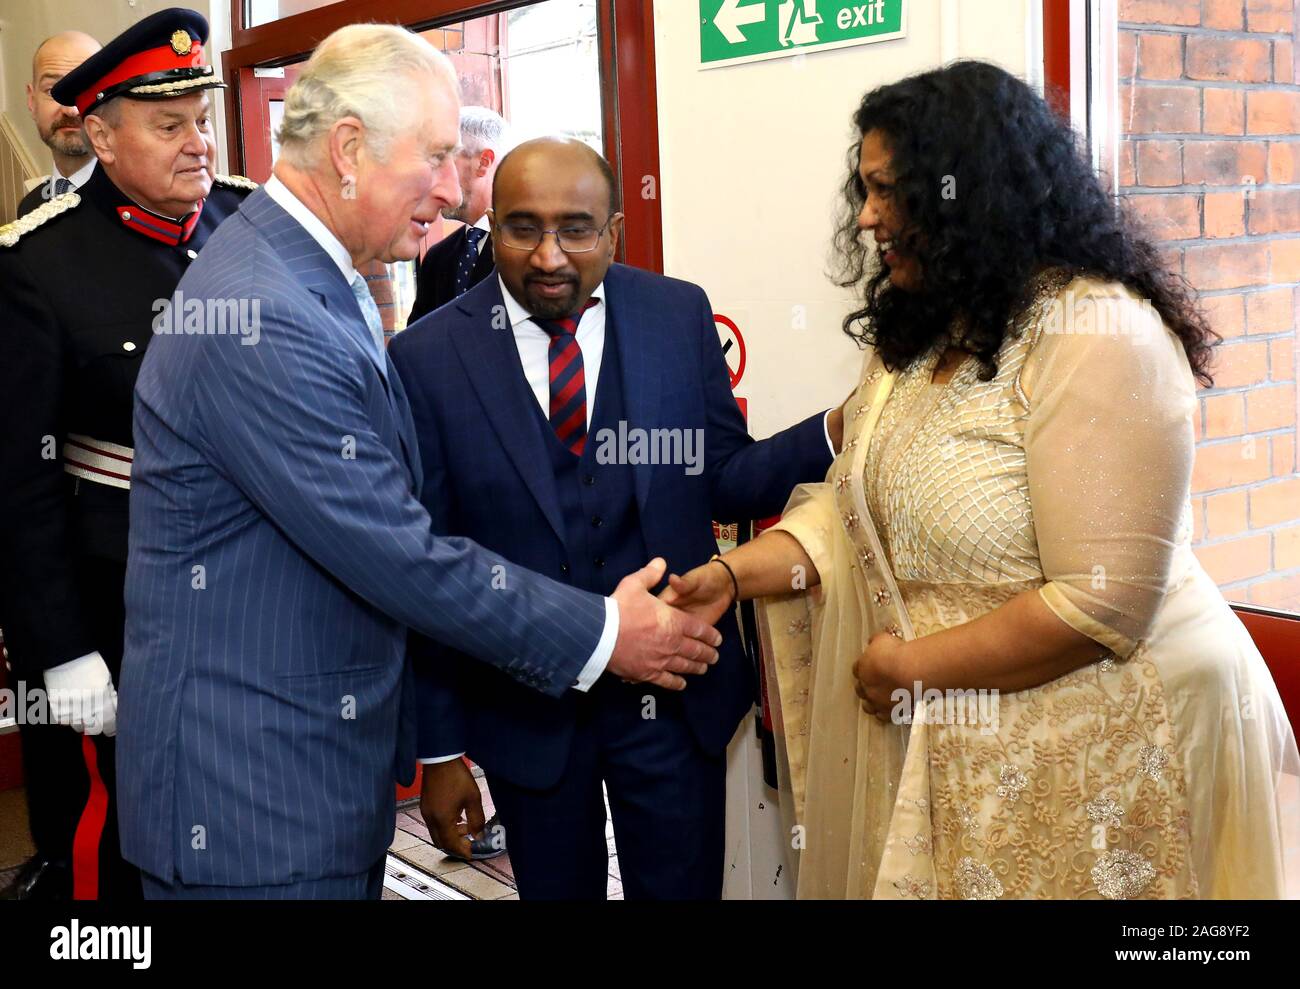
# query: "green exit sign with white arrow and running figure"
{"type": "Point", "coordinates": [749, 31]}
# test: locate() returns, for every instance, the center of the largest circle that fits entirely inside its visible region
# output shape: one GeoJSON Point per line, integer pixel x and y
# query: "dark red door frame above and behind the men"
{"type": "Point", "coordinates": [626, 32]}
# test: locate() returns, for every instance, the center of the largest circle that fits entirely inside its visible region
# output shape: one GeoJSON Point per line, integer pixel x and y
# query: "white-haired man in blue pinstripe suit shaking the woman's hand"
{"type": "Point", "coordinates": [279, 550]}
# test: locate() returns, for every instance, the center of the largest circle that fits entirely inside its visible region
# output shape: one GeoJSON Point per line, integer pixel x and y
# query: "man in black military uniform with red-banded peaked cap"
{"type": "Point", "coordinates": [84, 280]}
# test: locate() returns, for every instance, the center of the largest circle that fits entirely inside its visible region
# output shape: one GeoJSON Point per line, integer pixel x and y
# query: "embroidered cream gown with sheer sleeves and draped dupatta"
{"type": "Point", "coordinates": [1160, 771]}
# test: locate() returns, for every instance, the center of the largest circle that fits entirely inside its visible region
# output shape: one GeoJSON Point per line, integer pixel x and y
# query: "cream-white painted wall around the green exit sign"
{"type": "Point", "coordinates": [752, 162]}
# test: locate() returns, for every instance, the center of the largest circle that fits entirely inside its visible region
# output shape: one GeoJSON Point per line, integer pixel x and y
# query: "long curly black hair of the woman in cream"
{"type": "Point", "coordinates": [1020, 198]}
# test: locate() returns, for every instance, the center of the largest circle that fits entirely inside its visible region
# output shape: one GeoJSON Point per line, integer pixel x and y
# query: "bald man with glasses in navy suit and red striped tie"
{"type": "Point", "coordinates": [575, 415]}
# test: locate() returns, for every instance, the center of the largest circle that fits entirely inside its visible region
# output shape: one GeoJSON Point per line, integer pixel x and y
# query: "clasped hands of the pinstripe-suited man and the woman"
{"type": "Point", "coordinates": [664, 639]}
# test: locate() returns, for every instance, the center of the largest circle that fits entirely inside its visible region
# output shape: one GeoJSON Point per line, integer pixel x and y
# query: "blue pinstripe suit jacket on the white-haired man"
{"type": "Point", "coordinates": [279, 553]}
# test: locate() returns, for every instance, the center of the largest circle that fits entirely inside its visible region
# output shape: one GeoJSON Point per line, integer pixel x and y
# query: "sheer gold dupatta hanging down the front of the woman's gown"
{"type": "Point", "coordinates": [840, 770]}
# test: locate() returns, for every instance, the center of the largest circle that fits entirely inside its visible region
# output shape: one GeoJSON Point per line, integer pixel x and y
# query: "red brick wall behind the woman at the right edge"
{"type": "Point", "coordinates": [1211, 161]}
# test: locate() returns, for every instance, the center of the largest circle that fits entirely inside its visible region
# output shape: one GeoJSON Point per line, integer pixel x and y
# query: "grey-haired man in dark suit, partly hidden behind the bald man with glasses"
{"type": "Point", "coordinates": [460, 262]}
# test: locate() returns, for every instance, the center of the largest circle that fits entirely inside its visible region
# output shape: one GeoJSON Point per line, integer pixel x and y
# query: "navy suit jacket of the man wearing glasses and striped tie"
{"type": "Point", "coordinates": [487, 476]}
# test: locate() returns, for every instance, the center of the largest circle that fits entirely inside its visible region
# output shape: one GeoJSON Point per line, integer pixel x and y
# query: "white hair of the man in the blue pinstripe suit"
{"type": "Point", "coordinates": [365, 72]}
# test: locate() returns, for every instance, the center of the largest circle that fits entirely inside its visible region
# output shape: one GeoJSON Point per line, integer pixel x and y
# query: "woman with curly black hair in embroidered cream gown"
{"type": "Point", "coordinates": [1000, 670]}
